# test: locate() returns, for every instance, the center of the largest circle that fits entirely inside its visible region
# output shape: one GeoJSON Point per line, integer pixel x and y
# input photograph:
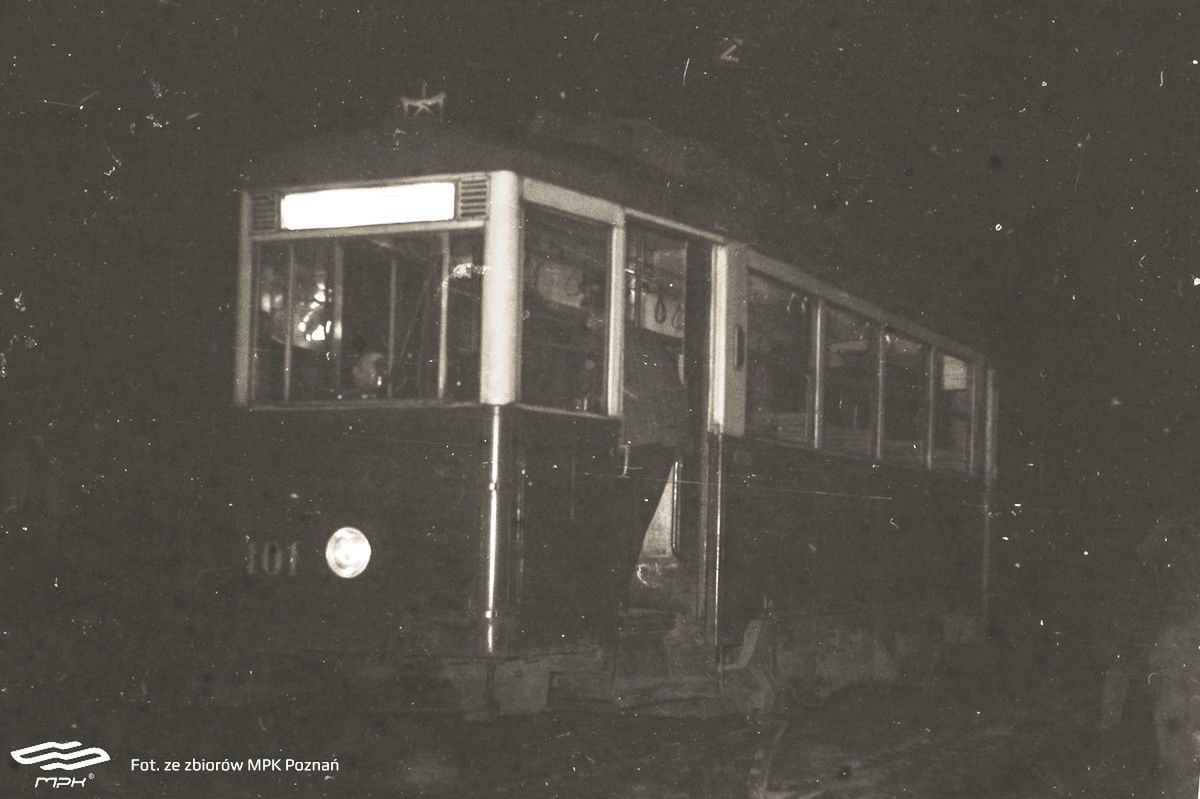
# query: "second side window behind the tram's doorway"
{"type": "Point", "coordinates": [849, 401]}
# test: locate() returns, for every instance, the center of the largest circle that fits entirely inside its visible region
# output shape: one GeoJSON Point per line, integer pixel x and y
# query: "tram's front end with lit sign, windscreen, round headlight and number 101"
{"type": "Point", "coordinates": [375, 371]}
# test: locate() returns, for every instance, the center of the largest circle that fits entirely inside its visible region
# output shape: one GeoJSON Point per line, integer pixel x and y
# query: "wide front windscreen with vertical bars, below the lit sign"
{"type": "Point", "coordinates": [369, 319]}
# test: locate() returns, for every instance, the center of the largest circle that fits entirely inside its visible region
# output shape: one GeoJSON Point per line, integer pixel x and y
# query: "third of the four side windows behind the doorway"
{"type": "Point", "coordinates": [905, 399]}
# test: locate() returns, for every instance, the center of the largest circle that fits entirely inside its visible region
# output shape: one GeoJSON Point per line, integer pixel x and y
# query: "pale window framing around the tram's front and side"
{"type": "Point", "coordinates": [731, 265]}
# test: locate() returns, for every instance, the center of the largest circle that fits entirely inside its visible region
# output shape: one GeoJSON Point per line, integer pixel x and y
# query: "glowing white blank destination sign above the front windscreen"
{"type": "Point", "coordinates": [356, 208]}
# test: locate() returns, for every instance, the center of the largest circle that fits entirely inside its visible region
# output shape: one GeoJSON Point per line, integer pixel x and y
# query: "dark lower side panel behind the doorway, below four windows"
{"type": "Point", "coordinates": [868, 573]}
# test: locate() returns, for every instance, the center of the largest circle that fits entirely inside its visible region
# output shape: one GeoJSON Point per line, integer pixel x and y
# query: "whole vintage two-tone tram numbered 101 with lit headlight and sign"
{"type": "Point", "coordinates": [524, 419]}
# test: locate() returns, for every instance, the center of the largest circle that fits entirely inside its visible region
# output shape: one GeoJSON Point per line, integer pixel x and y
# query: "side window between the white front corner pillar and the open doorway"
{"type": "Point", "coordinates": [566, 313]}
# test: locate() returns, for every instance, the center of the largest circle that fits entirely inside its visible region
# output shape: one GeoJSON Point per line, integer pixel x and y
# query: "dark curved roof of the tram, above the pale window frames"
{"type": "Point", "coordinates": [629, 163]}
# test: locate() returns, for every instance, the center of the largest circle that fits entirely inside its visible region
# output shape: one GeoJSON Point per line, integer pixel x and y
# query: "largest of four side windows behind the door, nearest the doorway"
{"type": "Point", "coordinates": [779, 364]}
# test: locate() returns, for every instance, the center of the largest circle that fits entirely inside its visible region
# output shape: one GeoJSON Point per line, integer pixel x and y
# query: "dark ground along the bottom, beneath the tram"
{"type": "Point", "coordinates": [868, 742]}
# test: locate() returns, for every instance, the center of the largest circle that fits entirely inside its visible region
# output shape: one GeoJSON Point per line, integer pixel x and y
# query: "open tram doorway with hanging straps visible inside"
{"type": "Point", "coordinates": [668, 285]}
